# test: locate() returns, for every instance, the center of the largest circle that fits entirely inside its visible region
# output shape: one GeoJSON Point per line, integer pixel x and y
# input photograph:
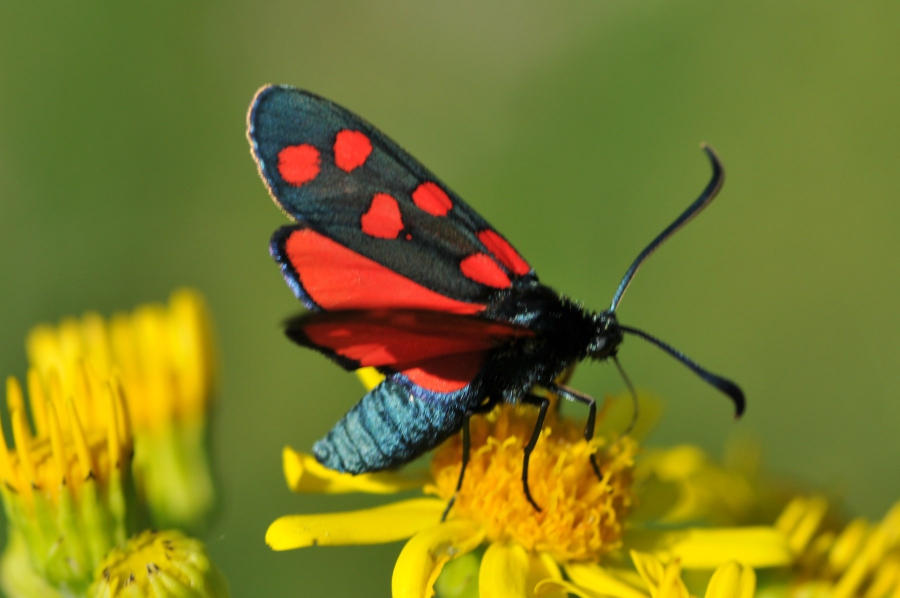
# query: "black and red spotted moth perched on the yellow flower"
{"type": "Point", "coordinates": [400, 274]}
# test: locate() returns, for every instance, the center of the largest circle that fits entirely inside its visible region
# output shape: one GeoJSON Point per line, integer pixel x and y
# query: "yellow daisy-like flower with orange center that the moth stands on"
{"type": "Point", "coordinates": [583, 521]}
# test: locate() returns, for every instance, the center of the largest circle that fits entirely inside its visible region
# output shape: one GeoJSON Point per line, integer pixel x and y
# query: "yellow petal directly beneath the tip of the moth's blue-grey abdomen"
{"type": "Point", "coordinates": [304, 474]}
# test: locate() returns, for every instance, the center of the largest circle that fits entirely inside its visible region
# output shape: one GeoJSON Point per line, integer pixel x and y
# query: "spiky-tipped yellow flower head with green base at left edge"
{"type": "Point", "coordinates": [66, 484]}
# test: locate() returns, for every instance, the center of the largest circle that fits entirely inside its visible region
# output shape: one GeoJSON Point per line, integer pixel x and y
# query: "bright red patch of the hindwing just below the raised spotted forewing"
{"type": "Point", "coordinates": [336, 277]}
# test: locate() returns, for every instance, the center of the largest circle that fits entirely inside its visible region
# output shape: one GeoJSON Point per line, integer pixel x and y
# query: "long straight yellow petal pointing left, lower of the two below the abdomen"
{"type": "Point", "coordinates": [388, 523]}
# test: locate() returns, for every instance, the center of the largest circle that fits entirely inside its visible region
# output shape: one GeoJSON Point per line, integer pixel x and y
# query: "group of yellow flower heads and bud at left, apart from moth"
{"type": "Point", "coordinates": [110, 404]}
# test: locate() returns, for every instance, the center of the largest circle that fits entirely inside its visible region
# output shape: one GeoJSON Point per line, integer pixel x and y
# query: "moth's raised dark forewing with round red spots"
{"type": "Point", "coordinates": [346, 181]}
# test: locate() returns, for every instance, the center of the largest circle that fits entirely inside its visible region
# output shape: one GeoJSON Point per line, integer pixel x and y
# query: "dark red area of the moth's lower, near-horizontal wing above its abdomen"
{"type": "Point", "coordinates": [400, 338]}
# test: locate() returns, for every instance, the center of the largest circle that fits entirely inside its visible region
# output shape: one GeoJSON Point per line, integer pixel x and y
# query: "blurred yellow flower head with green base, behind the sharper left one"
{"type": "Point", "coordinates": [163, 356]}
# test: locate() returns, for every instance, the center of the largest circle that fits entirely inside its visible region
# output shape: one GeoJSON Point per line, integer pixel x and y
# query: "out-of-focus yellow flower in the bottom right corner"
{"type": "Point", "coordinates": [860, 559]}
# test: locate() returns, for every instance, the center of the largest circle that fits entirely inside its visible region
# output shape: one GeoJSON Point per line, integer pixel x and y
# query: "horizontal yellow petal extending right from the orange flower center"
{"type": "Point", "coordinates": [701, 548]}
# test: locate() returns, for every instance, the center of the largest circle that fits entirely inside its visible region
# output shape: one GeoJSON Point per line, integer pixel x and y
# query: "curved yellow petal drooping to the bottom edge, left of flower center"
{"type": "Point", "coordinates": [421, 560]}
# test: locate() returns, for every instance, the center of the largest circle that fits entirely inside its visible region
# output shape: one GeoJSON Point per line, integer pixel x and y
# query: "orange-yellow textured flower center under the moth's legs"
{"type": "Point", "coordinates": [581, 516]}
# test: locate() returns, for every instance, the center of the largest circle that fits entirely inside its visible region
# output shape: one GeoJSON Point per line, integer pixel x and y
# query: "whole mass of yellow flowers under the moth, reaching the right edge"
{"type": "Point", "coordinates": [668, 523]}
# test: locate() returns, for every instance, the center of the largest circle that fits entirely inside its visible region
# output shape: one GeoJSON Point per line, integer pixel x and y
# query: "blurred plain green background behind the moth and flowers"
{"type": "Point", "coordinates": [574, 127]}
